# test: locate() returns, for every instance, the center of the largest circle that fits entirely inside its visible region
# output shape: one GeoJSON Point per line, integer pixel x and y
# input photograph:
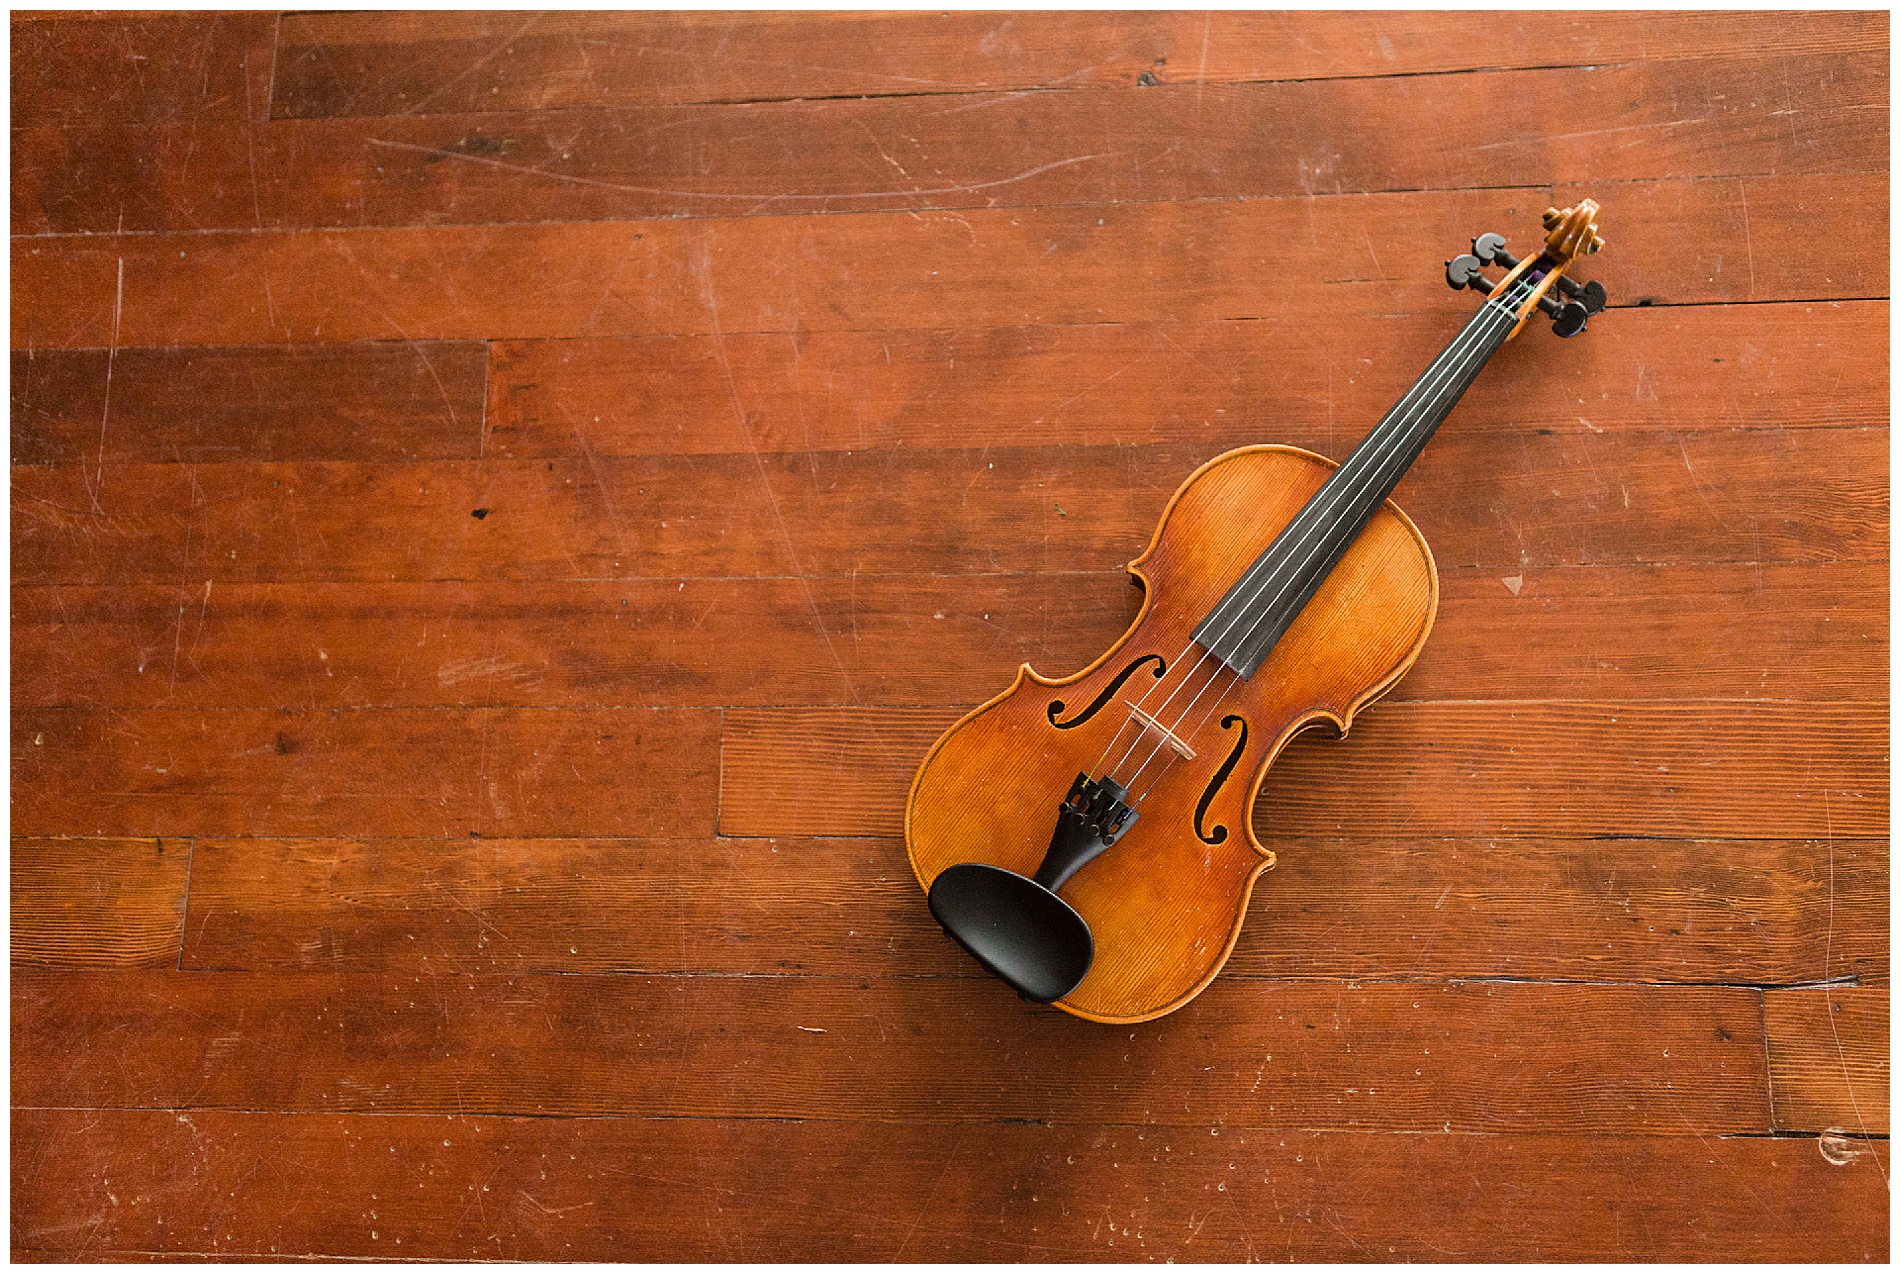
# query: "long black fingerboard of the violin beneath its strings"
{"type": "Point", "coordinates": [1266, 601]}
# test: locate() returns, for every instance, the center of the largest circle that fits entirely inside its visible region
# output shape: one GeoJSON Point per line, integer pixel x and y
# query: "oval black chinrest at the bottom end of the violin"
{"type": "Point", "coordinates": [1017, 929]}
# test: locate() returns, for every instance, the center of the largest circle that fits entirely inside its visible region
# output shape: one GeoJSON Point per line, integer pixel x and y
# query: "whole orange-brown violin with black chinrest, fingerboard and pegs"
{"type": "Point", "coordinates": [1090, 840]}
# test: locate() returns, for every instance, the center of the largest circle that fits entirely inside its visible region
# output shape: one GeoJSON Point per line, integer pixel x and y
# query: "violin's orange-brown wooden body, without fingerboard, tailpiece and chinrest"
{"type": "Point", "coordinates": [1168, 901]}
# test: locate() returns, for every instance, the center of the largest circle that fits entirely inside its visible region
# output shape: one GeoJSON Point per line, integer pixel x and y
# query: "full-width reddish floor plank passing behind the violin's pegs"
{"type": "Point", "coordinates": [898, 271]}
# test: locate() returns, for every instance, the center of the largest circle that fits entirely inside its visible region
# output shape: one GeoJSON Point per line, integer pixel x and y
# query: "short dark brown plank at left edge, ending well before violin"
{"type": "Point", "coordinates": [370, 403]}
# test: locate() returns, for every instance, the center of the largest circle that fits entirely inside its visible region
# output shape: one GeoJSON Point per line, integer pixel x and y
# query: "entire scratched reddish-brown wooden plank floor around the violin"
{"type": "Point", "coordinates": [503, 506]}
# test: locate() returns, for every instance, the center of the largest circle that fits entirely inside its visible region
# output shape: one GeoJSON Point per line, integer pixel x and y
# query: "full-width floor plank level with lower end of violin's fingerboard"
{"type": "Point", "coordinates": [1812, 631]}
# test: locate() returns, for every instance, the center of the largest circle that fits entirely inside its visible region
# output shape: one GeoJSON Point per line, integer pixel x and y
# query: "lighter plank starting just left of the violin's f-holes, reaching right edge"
{"type": "Point", "coordinates": [1464, 770]}
